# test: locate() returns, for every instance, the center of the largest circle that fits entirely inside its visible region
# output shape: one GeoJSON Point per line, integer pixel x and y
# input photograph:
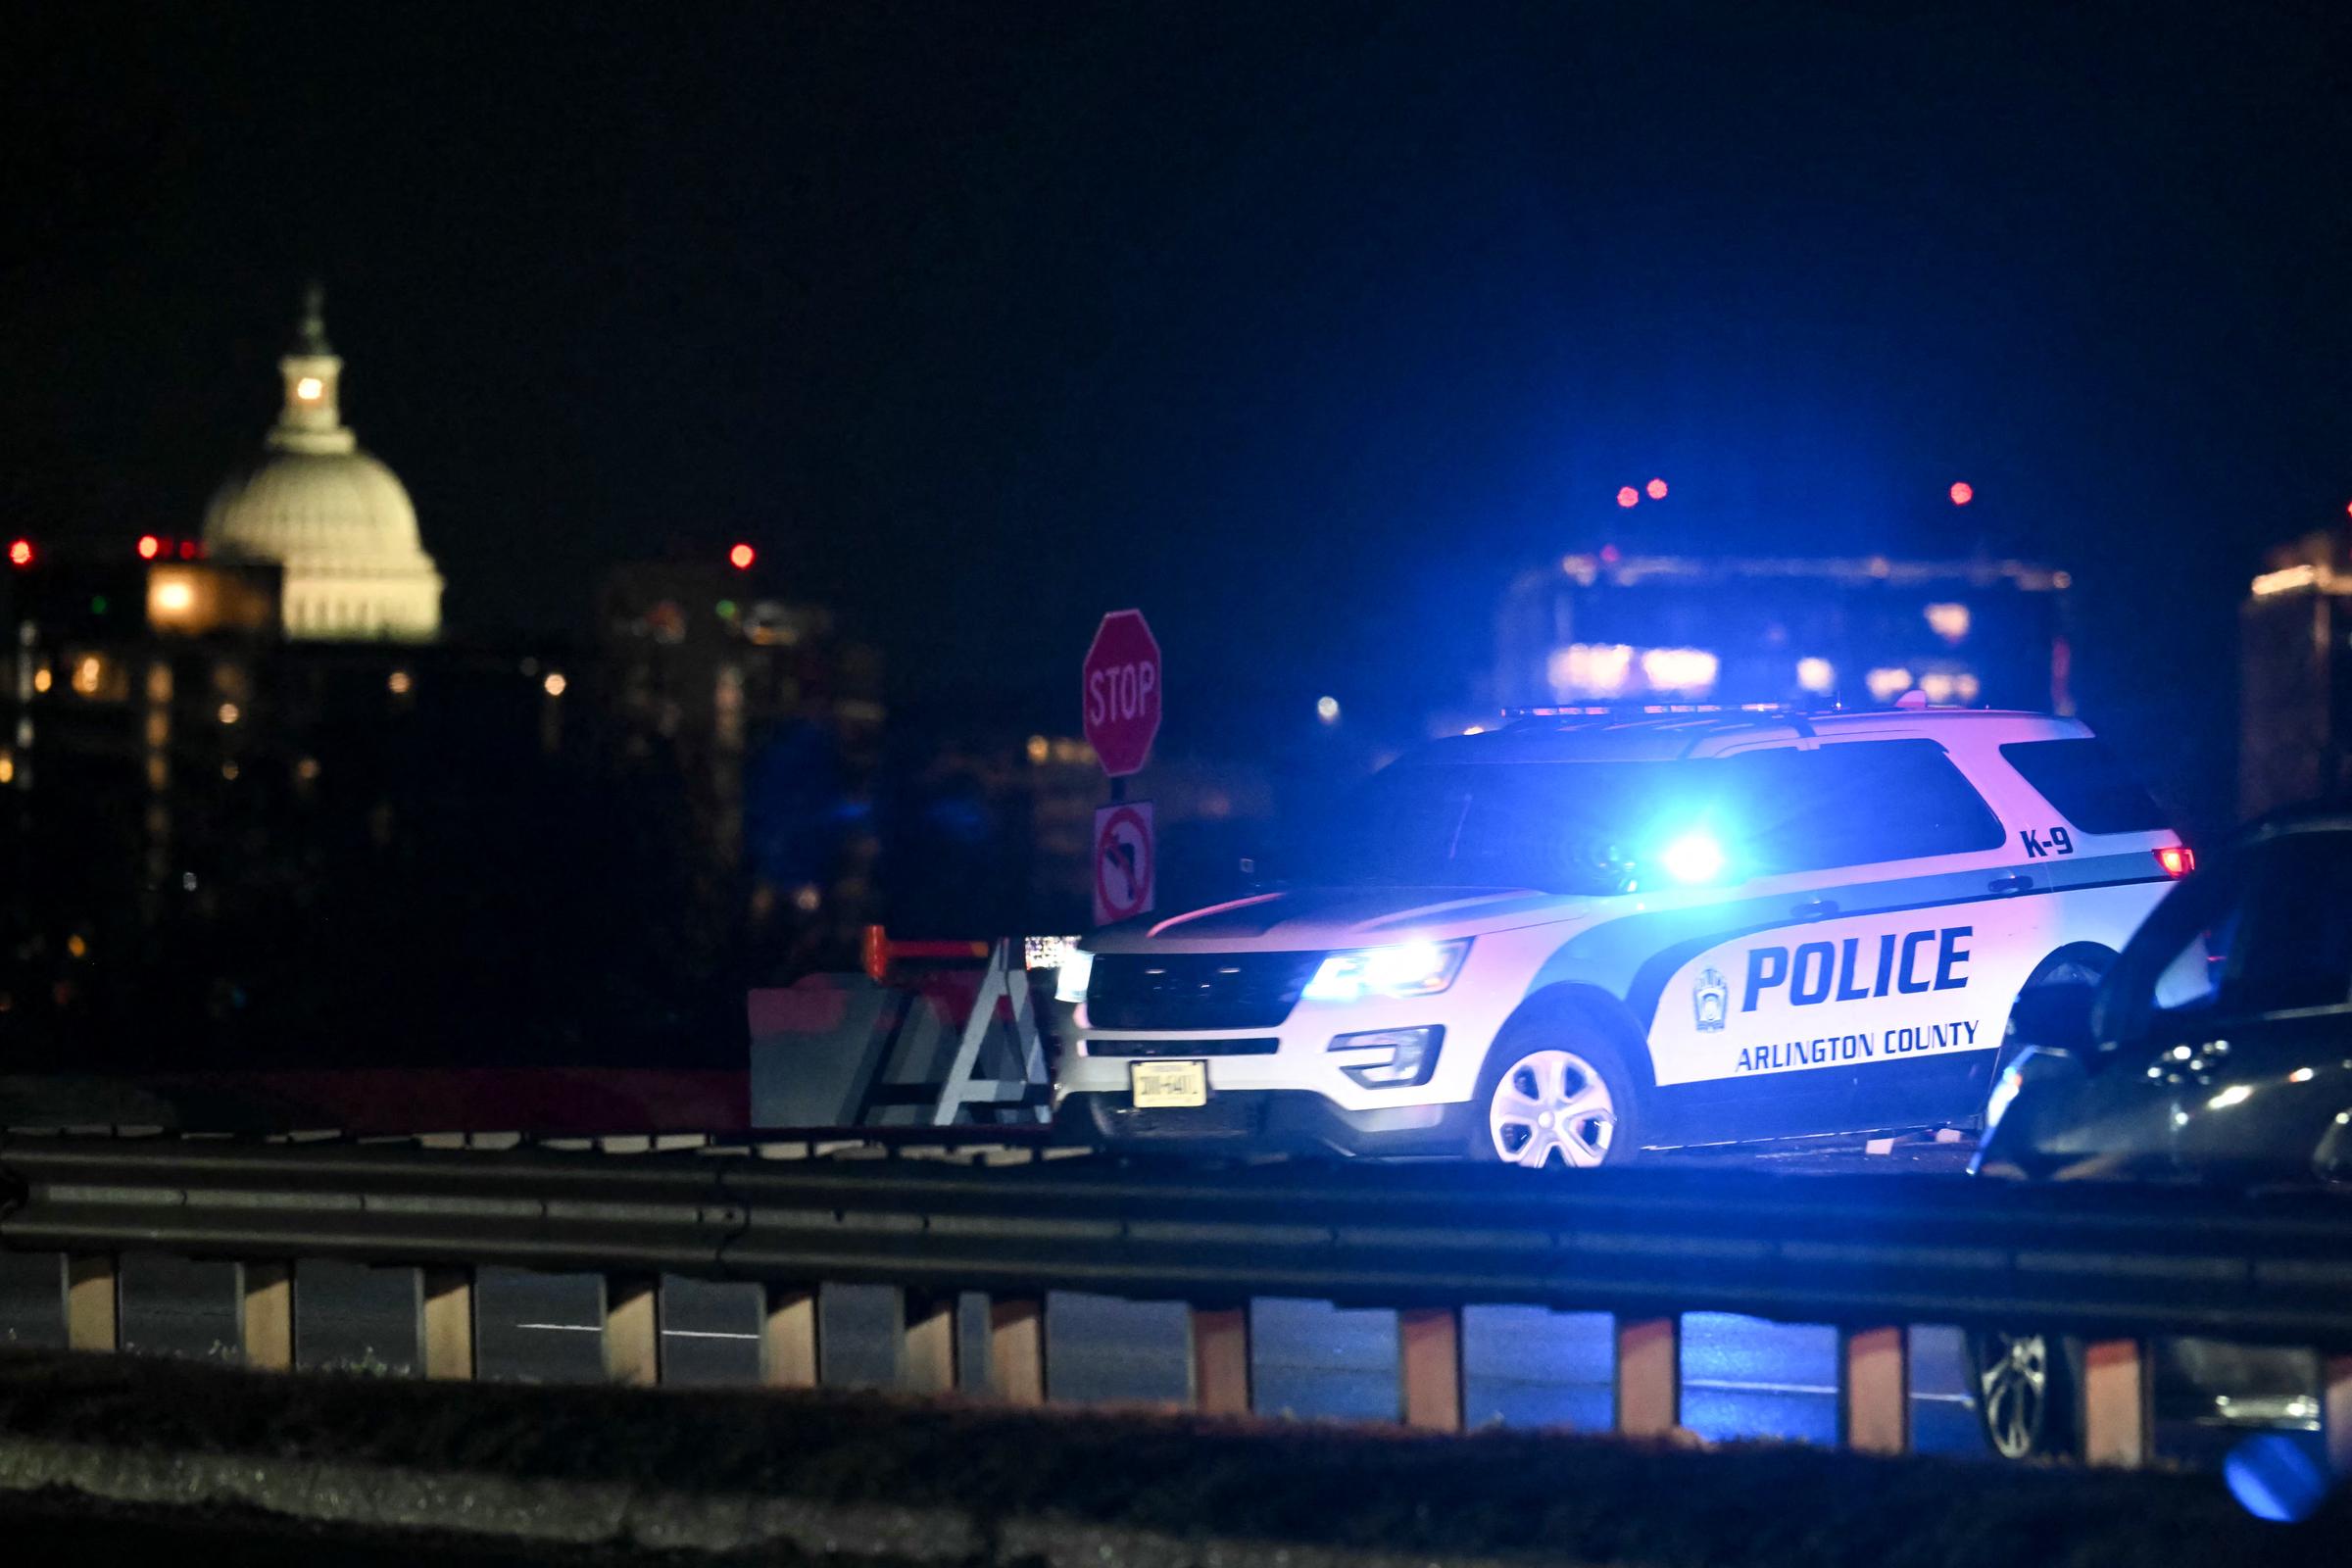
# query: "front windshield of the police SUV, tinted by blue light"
{"type": "Point", "coordinates": [1558, 826]}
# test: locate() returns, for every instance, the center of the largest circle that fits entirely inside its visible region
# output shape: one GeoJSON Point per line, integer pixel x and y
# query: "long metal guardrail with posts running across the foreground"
{"type": "Point", "coordinates": [2118, 1266]}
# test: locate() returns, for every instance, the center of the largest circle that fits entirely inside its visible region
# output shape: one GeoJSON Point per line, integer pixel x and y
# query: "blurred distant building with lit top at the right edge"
{"type": "Point", "coordinates": [2297, 676]}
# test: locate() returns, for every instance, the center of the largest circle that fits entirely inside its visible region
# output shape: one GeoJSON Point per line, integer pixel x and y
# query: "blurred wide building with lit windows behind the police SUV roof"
{"type": "Point", "coordinates": [1655, 629]}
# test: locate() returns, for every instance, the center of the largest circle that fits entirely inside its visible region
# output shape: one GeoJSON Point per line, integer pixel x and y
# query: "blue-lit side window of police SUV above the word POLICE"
{"type": "Point", "coordinates": [1857, 805]}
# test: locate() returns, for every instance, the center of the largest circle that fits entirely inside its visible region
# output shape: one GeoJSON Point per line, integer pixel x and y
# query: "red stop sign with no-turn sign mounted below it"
{"type": "Point", "coordinates": [1121, 706]}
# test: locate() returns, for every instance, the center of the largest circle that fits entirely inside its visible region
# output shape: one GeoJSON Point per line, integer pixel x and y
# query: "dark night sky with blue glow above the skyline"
{"type": "Point", "coordinates": [1302, 328]}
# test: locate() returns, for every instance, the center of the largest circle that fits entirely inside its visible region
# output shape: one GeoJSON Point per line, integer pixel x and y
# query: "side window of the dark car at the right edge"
{"type": "Point", "coordinates": [2297, 944]}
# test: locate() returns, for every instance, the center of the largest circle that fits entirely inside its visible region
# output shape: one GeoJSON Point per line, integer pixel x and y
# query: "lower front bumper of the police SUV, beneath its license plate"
{"type": "Point", "coordinates": [1264, 1120]}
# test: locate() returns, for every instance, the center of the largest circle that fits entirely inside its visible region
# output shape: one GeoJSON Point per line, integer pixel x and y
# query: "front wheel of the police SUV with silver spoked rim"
{"type": "Point", "coordinates": [1556, 1090]}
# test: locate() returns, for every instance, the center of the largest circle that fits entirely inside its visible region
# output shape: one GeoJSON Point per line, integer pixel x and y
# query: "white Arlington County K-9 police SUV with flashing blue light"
{"type": "Point", "coordinates": [1589, 934]}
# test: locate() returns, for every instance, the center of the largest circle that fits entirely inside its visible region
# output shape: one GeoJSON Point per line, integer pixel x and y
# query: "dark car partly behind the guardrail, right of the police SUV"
{"type": "Point", "coordinates": [2217, 1050]}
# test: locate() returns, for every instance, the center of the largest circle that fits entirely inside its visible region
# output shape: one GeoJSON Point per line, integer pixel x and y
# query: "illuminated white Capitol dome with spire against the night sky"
{"type": "Point", "coordinates": [333, 518]}
